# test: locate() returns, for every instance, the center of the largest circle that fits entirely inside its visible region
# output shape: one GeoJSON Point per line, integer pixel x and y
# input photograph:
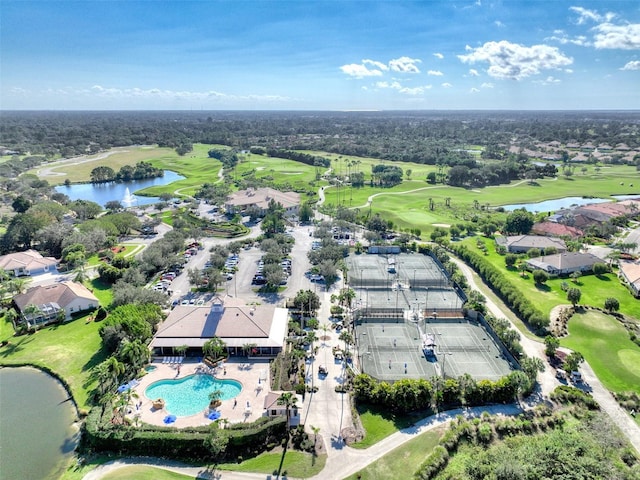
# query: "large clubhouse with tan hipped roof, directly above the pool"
{"type": "Point", "coordinates": [263, 327]}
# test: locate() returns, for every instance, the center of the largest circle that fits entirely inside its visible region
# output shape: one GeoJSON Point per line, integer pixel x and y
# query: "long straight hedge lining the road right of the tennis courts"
{"type": "Point", "coordinates": [508, 292]}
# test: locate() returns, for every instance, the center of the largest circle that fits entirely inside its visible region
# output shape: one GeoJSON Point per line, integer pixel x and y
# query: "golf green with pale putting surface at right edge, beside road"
{"type": "Point", "coordinates": [605, 344]}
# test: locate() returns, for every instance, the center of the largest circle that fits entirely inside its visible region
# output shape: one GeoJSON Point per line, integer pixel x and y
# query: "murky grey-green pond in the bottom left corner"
{"type": "Point", "coordinates": [38, 433]}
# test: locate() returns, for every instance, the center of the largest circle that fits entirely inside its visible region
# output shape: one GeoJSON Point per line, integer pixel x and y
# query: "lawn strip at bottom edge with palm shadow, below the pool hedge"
{"type": "Point", "coordinates": [295, 464]}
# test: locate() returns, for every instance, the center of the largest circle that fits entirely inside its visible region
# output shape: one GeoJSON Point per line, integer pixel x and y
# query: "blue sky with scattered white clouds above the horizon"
{"type": "Point", "coordinates": [319, 55]}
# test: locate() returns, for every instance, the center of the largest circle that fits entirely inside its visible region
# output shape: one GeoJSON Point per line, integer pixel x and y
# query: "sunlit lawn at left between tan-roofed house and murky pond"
{"type": "Point", "coordinates": [70, 350]}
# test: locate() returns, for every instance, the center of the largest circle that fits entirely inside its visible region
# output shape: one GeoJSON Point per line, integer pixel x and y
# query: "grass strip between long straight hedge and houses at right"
{"type": "Point", "coordinates": [595, 290]}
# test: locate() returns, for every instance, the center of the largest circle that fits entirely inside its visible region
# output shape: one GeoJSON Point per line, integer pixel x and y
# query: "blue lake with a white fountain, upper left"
{"type": "Point", "coordinates": [102, 193]}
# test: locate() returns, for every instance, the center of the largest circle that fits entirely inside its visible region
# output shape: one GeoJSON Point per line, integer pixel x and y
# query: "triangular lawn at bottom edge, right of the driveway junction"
{"type": "Point", "coordinates": [400, 463]}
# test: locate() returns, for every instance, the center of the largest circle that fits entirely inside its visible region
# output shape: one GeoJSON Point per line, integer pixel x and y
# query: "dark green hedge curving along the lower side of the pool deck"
{"type": "Point", "coordinates": [248, 439]}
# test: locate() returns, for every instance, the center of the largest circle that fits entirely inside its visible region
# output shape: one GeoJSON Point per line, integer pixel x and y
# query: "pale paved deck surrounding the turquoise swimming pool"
{"type": "Point", "coordinates": [247, 372]}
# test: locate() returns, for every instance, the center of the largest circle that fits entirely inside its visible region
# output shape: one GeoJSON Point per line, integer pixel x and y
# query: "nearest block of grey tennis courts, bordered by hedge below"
{"type": "Point", "coordinates": [391, 349]}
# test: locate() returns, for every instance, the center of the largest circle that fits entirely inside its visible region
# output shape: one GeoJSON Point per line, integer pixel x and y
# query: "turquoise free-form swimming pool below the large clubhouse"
{"type": "Point", "coordinates": [190, 395]}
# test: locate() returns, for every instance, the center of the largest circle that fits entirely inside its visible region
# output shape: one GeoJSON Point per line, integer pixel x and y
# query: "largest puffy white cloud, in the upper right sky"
{"type": "Point", "coordinates": [514, 61]}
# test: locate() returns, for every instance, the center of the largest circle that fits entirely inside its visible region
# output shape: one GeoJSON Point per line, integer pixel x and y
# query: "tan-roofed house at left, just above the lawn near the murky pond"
{"type": "Point", "coordinates": [45, 304]}
